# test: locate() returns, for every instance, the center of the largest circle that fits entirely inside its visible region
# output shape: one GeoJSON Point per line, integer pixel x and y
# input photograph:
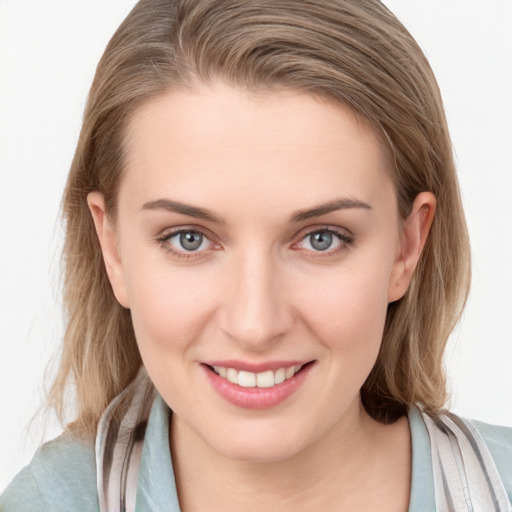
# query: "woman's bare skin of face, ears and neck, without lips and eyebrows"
{"type": "Point", "coordinates": [258, 291]}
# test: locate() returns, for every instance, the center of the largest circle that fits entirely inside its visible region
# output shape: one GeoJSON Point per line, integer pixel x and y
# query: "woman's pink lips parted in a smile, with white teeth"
{"type": "Point", "coordinates": [257, 386]}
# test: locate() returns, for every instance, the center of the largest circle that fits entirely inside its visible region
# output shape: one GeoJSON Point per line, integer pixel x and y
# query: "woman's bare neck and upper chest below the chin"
{"type": "Point", "coordinates": [340, 468]}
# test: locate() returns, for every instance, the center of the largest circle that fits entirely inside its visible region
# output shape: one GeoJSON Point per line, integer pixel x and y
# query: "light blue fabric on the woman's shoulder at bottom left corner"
{"type": "Point", "coordinates": [60, 476]}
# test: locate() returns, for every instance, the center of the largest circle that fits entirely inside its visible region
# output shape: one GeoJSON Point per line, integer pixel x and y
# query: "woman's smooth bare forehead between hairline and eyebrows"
{"type": "Point", "coordinates": [220, 143]}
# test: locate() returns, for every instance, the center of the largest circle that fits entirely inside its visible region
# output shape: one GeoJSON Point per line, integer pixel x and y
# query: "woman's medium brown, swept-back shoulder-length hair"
{"type": "Point", "coordinates": [355, 54]}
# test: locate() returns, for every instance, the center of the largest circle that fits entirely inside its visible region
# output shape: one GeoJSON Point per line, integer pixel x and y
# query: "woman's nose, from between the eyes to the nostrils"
{"type": "Point", "coordinates": [255, 310]}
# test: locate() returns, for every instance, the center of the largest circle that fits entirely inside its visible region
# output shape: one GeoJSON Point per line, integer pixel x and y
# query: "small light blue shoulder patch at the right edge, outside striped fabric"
{"type": "Point", "coordinates": [499, 442]}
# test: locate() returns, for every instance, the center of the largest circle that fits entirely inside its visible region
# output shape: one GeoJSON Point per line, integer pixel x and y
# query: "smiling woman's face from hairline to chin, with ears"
{"type": "Point", "coordinates": [256, 236]}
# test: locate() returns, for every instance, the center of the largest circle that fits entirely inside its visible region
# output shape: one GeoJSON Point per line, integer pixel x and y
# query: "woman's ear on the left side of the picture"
{"type": "Point", "coordinates": [107, 237]}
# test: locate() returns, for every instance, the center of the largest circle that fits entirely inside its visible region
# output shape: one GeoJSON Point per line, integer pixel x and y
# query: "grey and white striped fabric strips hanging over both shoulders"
{"type": "Point", "coordinates": [465, 476]}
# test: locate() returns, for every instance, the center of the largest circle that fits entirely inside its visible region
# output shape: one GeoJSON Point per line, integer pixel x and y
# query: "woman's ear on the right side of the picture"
{"type": "Point", "coordinates": [414, 234]}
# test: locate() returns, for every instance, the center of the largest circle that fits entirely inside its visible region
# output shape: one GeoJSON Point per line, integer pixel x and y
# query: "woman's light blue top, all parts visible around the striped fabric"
{"type": "Point", "coordinates": [62, 474]}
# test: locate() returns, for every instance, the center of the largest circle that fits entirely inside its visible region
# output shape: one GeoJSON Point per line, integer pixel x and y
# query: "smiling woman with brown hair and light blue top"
{"type": "Point", "coordinates": [265, 237]}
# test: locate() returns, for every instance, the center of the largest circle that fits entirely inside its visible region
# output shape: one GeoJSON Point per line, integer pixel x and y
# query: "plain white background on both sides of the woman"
{"type": "Point", "coordinates": [48, 53]}
